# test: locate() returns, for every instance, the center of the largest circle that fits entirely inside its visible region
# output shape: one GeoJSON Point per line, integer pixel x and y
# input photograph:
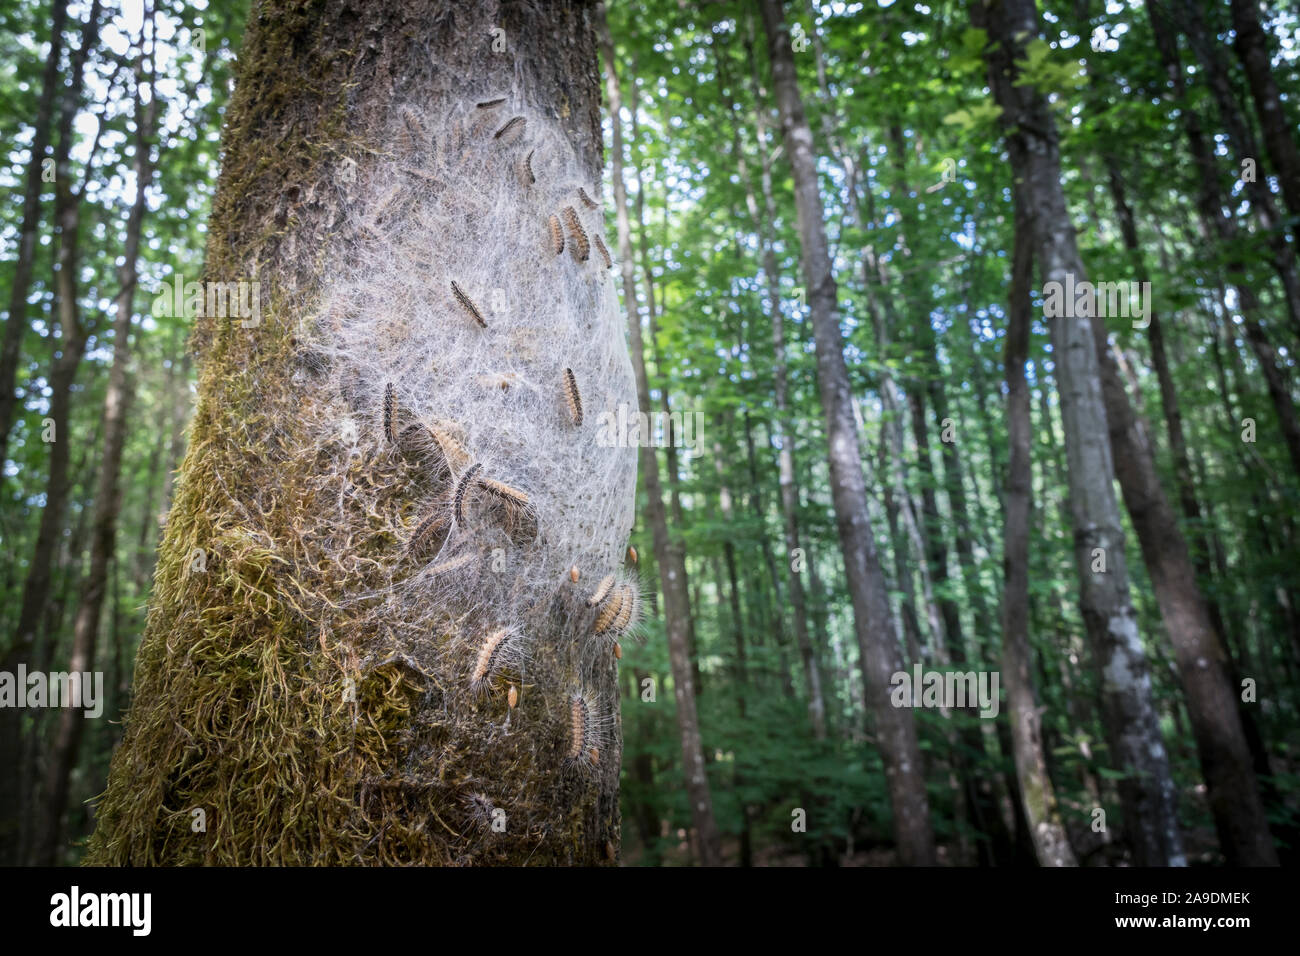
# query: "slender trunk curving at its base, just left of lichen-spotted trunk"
{"type": "Point", "coordinates": [1051, 845]}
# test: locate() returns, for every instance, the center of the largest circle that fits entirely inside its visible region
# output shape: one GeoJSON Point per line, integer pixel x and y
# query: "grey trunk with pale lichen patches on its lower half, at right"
{"type": "Point", "coordinates": [1133, 728]}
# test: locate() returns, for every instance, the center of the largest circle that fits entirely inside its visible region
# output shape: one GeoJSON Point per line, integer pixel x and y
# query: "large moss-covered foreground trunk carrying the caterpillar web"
{"type": "Point", "coordinates": [304, 690]}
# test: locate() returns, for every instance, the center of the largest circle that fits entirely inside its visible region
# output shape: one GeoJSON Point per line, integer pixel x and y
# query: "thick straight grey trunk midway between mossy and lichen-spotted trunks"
{"type": "Point", "coordinates": [896, 730]}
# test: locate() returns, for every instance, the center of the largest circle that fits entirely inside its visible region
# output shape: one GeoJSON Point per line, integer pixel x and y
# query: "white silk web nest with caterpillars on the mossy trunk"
{"type": "Point", "coordinates": [466, 427]}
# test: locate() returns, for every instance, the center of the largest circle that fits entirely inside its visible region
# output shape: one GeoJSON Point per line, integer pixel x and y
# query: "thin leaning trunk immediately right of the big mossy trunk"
{"type": "Point", "coordinates": [669, 553]}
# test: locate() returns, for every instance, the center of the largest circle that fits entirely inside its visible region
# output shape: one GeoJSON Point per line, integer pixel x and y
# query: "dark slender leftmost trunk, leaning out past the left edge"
{"type": "Point", "coordinates": [16, 323]}
